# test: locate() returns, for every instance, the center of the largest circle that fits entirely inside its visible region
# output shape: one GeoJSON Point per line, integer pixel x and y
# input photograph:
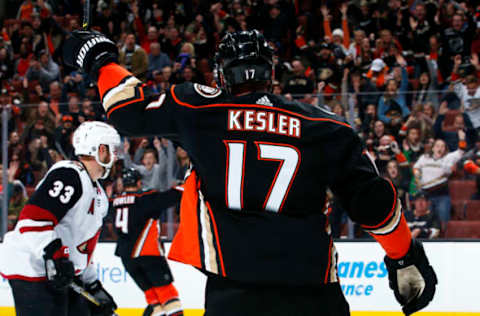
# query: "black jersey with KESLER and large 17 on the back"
{"type": "Point", "coordinates": [253, 208]}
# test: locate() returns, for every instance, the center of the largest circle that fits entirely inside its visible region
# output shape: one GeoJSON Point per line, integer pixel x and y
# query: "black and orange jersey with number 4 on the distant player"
{"type": "Point", "coordinates": [136, 222]}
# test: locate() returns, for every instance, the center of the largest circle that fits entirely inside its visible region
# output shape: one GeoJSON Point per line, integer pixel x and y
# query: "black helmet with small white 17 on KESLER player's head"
{"type": "Point", "coordinates": [244, 56]}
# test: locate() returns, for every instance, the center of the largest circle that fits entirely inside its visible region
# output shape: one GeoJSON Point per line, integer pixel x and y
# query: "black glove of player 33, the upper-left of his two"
{"type": "Point", "coordinates": [59, 269]}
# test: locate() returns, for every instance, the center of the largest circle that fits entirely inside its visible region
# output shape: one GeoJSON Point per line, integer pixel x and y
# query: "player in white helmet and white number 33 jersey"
{"type": "Point", "coordinates": [58, 229]}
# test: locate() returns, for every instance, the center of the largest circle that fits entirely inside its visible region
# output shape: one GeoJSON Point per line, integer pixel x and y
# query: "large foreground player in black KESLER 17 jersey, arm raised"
{"type": "Point", "coordinates": [250, 217]}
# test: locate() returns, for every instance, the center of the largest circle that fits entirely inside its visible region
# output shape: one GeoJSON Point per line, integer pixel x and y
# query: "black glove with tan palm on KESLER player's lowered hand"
{"type": "Point", "coordinates": [412, 279]}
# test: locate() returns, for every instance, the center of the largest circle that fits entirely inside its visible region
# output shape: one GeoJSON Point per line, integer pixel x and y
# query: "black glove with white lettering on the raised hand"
{"type": "Point", "coordinates": [89, 51]}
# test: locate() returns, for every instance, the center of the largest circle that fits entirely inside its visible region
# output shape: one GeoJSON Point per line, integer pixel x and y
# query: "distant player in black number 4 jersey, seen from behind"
{"type": "Point", "coordinates": [139, 246]}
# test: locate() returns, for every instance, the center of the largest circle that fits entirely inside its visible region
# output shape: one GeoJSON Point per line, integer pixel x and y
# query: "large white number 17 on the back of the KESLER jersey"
{"type": "Point", "coordinates": [288, 157]}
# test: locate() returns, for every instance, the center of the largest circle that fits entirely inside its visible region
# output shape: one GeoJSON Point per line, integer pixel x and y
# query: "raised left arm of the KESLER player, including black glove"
{"type": "Point", "coordinates": [132, 107]}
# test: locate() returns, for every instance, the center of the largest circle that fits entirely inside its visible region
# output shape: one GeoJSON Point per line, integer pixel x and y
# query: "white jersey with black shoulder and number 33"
{"type": "Point", "coordinates": [66, 204]}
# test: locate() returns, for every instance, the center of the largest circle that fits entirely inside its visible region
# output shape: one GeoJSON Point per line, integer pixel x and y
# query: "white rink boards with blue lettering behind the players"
{"type": "Point", "coordinates": [361, 270]}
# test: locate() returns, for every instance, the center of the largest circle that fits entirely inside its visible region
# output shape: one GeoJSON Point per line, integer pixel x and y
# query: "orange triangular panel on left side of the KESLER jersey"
{"type": "Point", "coordinates": [186, 244]}
